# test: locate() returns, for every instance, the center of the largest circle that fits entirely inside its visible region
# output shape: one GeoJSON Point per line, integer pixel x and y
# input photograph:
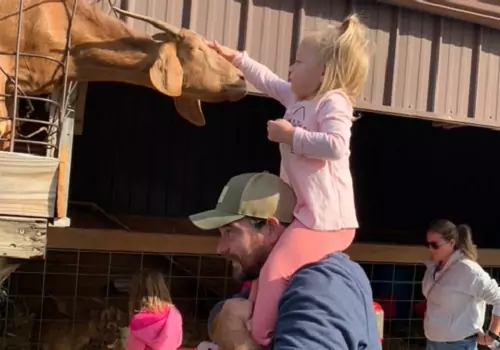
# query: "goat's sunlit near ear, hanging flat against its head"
{"type": "Point", "coordinates": [166, 73]}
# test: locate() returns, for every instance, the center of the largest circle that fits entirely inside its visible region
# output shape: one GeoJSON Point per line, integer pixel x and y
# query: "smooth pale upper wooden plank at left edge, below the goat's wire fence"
{"type": "Point", "coordinates": [28, 185]}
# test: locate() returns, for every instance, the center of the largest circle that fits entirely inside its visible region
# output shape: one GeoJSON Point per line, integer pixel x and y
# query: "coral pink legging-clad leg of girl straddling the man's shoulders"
{"type": "Point", "coordinates": [297, 247]}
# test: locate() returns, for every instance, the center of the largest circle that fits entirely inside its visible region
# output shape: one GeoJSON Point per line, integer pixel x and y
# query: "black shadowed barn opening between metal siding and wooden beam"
{"type": "Point", "coordinates": [138, 156]}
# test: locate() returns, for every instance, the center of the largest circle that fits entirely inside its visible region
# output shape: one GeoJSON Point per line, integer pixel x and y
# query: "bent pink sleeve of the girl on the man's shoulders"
{"type": "Point", "coordinates": [331, 142]}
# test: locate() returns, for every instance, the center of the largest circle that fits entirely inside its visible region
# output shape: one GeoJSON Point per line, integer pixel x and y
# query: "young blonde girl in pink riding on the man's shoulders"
{"type": "Point", "coordinates": [328, 75]}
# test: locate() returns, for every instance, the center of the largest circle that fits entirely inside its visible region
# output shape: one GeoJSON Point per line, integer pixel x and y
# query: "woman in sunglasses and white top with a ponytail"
{"type": "Point", "coordinates": [457, 290]}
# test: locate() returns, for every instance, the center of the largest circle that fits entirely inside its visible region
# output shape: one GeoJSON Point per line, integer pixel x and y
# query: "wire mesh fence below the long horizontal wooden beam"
{"type": "Point", "coordinates": [79, 299]}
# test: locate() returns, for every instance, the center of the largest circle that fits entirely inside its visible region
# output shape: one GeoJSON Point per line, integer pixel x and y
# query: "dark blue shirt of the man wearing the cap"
{"type": "Point", "coordinates": [327, 305]}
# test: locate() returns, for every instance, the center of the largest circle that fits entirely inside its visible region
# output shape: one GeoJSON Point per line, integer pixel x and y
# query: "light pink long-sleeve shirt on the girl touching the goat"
{"type": "Point", "coordinates": [317, 165]}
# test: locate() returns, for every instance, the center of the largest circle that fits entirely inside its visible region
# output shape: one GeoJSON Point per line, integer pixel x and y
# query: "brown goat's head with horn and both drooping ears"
{"type": "Point", "coordinates": [187, 66]}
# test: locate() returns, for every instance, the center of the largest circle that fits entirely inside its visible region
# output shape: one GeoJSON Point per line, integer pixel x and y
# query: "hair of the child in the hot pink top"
{"type": "Point", "coordinates": [148, 292]}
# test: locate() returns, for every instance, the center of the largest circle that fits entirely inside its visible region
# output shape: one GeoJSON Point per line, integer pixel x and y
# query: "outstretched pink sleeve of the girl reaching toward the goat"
{"type": "Point", "coordinates": [264, 79]}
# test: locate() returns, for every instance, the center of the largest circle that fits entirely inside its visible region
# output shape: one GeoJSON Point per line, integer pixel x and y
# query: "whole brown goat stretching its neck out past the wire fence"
{"type": "Point", "coordinates": [175, 62]}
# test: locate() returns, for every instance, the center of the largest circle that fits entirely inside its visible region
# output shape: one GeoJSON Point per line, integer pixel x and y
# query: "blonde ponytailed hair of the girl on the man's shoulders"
{"type": "Point", "coordinates": [344, 52]}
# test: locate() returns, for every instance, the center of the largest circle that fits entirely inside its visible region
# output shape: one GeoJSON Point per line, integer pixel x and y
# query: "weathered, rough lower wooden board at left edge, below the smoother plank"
{"type": "Point", "coordinates": [23, 238]}
